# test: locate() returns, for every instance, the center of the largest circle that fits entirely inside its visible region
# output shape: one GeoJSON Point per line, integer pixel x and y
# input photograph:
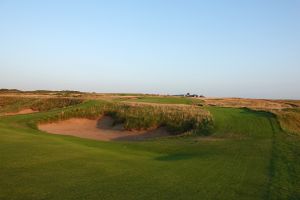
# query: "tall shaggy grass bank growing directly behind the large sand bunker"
{"type": "Point", "coordinates": [141, 117]}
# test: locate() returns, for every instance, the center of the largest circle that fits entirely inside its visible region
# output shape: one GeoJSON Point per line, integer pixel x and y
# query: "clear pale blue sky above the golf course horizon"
{"type": "Point", "coordinates": [217, 48]}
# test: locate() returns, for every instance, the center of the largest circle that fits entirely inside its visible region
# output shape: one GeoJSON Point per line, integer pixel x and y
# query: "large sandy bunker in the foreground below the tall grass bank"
{"type": "Point", "coordinates": [101, 129]}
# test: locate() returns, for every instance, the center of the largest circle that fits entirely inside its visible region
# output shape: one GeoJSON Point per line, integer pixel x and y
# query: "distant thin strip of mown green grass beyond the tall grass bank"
{"type": "Point", "coordinates": [167, 100]}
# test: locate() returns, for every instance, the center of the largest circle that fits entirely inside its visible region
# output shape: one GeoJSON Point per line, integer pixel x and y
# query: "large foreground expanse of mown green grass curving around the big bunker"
{"type": "Point", "coordinates": [37, 165]}
